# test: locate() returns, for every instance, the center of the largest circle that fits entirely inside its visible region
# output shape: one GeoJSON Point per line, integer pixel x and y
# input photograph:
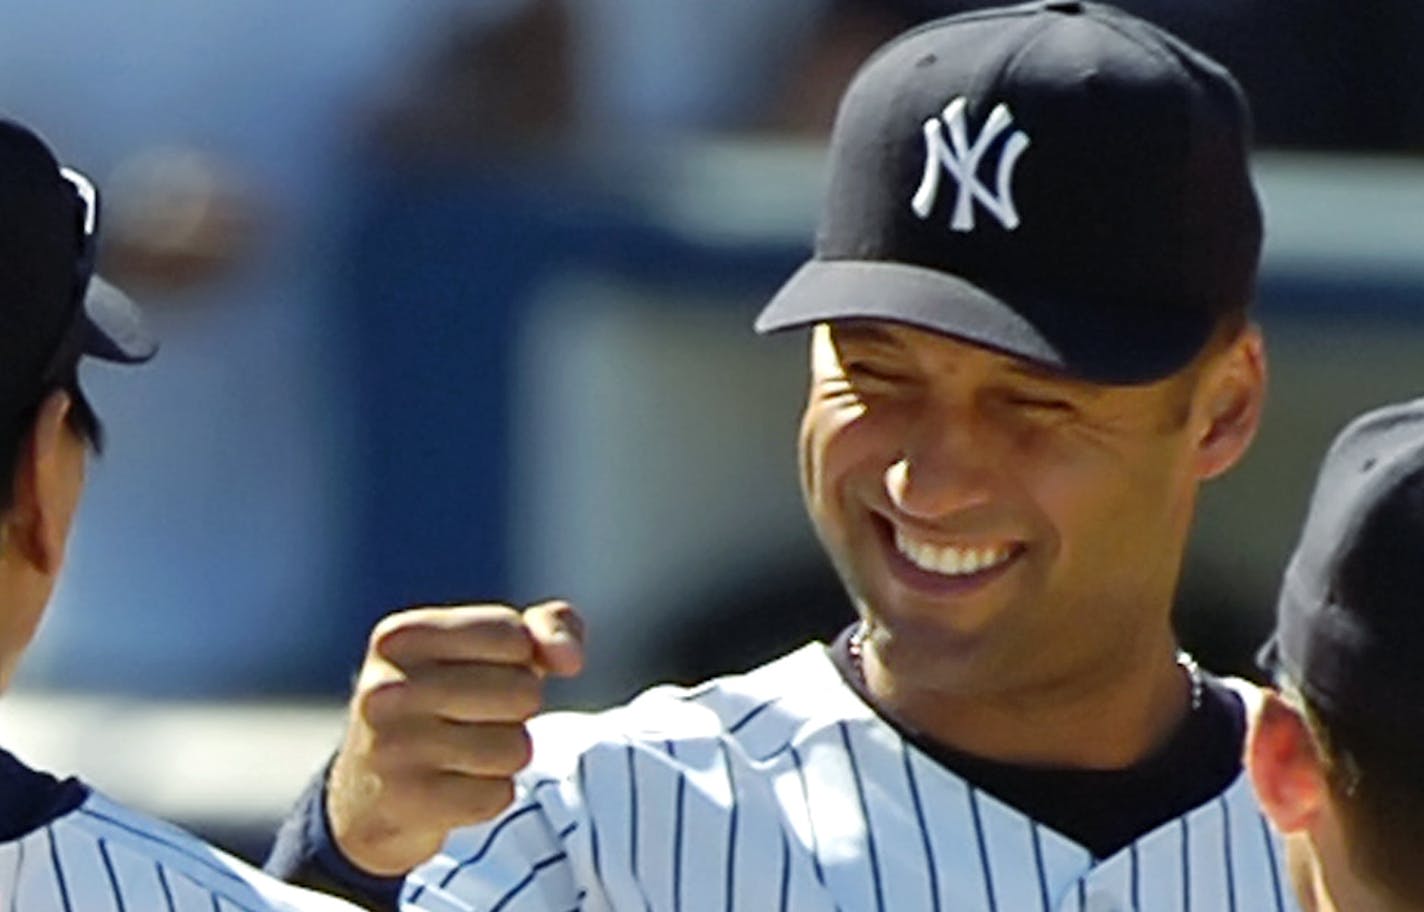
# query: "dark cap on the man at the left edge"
{"type": "Point", "coordinates": [53, 307]}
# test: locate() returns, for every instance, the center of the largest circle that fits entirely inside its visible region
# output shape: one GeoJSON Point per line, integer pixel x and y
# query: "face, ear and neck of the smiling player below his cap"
{"type": "Point", "coordinates": [1013, 538]}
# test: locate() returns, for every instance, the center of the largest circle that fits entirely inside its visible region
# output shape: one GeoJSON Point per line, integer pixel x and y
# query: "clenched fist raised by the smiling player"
{"type": "Point", "coordinates": [436, 726]}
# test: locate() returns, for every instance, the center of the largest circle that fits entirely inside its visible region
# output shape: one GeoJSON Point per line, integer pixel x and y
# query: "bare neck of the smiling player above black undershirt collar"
{"type": "Point", "coordinates": [1099, 717]}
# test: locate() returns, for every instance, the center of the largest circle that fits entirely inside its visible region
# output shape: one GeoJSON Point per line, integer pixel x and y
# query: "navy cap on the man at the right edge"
{"type": "Point", "coordinates": [1351, 616]}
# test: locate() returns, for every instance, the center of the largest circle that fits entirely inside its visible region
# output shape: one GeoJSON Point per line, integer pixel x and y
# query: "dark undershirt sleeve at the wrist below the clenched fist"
{"type": "Point", "coordinates": [305, 854]}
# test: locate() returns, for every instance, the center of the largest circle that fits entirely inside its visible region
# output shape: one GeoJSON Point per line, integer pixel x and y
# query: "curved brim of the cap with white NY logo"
{"type": "Point", "coordinates": [1101, 344]}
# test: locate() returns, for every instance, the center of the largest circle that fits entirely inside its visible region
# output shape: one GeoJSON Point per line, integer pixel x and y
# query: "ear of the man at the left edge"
{"type": "Point", "coordinates": [43, 497]}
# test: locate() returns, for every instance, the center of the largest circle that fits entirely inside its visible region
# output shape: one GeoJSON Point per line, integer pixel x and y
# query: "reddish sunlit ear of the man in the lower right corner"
{"type": "Point", "coordinates": [1287, 769]}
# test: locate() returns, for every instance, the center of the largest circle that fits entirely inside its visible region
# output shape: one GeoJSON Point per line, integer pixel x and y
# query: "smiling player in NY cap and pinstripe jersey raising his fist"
{"type": "Point", "coordinates": [1029, 348]}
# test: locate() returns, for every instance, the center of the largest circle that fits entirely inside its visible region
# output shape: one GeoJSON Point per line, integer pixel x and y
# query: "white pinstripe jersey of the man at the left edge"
{"type": "Point", "coordinates": [106, 859]}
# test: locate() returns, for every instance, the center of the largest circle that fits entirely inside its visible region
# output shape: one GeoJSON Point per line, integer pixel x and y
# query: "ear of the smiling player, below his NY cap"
{"type": "Point", "coordinates": [1231, 398]}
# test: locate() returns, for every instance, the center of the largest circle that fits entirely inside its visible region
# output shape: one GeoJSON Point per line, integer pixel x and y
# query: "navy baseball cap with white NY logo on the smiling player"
{"type": "Point", "coordinates": [1060, 182]}
